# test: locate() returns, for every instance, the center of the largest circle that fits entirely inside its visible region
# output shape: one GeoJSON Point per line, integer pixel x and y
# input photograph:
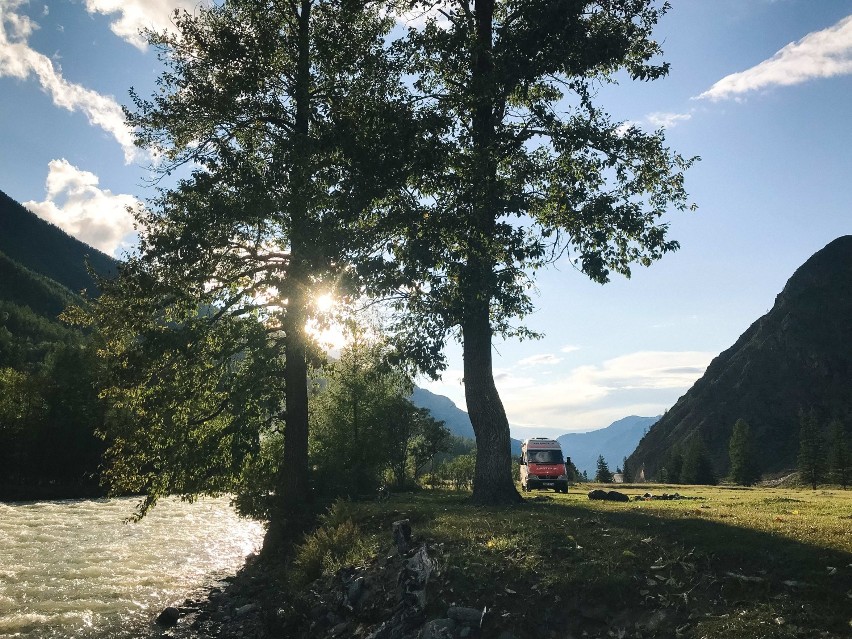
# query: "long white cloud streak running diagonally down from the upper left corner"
{"type": "Point", "coordinates": [18, 60]}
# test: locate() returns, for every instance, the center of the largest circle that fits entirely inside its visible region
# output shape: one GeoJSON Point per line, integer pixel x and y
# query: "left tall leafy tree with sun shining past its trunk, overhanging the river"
{"type": "Point", "coordinates": [288, 115]}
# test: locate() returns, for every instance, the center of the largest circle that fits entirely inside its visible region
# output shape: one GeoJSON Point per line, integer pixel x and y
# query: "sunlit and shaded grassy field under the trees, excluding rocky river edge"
{"type": "Point", "coordinates": [723, 562]}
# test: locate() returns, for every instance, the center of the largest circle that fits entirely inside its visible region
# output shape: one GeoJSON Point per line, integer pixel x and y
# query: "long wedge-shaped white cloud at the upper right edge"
{"type": "Point", "coordinates": [821, 54]}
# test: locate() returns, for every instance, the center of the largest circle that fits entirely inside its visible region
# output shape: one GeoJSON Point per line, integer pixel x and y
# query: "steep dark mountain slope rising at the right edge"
{"type": "Point", "coordinates": [795, 358]}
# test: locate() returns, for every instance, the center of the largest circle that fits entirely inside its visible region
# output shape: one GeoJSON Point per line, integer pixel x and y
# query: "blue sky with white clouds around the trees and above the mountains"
{"type": "Point", "coordinates": [761, 90]}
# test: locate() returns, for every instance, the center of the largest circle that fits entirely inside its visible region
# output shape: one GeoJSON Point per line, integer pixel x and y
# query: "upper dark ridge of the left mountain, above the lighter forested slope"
{"type": "Point", "coordinates": [47, 250]}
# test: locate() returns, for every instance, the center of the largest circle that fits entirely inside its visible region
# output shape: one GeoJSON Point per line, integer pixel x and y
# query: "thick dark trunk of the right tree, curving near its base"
{"type": "Point", "coordinates": [492, 483]}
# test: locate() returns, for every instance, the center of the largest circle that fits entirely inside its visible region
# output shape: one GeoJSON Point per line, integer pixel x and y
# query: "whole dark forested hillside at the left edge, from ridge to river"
{"type": "Point", "coordinates": [49, 405]}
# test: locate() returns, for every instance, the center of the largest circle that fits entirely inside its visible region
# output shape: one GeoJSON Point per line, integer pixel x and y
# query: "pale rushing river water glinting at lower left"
{"type": "Point", "coordinates": [74, 569]}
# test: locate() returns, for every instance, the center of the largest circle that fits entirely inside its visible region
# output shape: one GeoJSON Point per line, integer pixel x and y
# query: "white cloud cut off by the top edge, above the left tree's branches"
{"type": "Point", "coordinates": [135, 15]}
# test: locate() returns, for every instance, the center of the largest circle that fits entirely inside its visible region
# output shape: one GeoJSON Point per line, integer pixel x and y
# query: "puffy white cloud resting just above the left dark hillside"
{"type": "Point", "coordinates": [75, 204]}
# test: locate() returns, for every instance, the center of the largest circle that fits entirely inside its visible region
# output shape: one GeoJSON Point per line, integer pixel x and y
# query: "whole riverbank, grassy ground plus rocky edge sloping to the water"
{"type": "Point", "coordinates": [733, 563]}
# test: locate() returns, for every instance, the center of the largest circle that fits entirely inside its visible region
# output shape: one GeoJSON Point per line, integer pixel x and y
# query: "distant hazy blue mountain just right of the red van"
{"type": "Point", "coordinates": [615, 442]}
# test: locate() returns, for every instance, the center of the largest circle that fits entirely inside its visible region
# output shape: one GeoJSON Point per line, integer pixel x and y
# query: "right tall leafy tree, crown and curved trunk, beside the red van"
{"type": "Point", "coordinates": [527, 168]}
